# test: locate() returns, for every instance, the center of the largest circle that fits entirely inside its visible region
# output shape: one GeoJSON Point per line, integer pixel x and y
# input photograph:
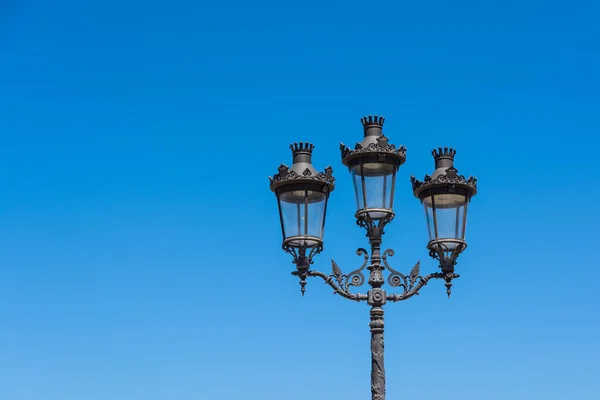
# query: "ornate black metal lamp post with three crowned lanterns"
{"type": "Point", "coordinates": [302, 195]}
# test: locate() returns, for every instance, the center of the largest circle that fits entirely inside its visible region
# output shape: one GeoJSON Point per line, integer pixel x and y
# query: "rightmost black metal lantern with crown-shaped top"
{"type": "Point", "coordinates": [445, 196]}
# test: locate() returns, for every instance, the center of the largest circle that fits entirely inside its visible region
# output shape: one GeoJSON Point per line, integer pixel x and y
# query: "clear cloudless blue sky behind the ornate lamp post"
{"type": "Point", "coordinates": [140, 244]}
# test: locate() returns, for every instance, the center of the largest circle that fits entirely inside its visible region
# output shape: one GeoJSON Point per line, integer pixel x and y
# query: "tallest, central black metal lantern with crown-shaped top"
{"type": "Point", "coordinates": [373, 164]}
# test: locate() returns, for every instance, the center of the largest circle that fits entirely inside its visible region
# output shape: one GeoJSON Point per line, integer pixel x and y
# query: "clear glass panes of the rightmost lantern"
{"type": "Point", "coordinates": [446, 217]}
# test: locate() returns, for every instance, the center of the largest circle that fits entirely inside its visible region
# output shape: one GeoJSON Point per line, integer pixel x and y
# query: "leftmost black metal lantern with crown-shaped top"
{"type": "Point", "coordinates": [302, 195]}
